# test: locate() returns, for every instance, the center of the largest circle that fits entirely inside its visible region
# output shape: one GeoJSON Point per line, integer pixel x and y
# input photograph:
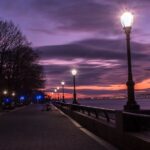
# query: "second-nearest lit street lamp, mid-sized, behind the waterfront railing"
{"type": "Point", "coordinates": [74, 73]}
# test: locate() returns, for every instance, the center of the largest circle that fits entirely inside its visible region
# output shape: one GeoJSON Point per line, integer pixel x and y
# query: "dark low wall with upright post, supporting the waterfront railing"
{"type": "Point", "coordinates": [114, 134]}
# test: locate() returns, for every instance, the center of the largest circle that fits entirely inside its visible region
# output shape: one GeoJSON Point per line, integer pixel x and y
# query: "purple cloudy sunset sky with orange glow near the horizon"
{"type": "Point", "coordinates": [86, 35]}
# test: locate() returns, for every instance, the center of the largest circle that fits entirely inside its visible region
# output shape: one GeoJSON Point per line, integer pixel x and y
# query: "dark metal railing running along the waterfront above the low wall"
{"type": "Point", "coordinates": [139, 121]}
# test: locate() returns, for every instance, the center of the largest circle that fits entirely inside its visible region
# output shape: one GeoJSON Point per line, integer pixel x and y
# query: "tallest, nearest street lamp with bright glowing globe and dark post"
{"type": "Point", "coordinates": [127, 21]}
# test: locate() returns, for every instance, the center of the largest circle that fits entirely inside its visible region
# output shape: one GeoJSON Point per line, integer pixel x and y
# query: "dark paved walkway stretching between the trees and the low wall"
{"type": "Point", "coordinates": [30, 128]}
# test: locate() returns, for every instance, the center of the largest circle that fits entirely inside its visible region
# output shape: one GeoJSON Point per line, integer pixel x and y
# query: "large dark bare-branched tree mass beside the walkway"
{"type": "Point", "coordinates": [18, 68]}
